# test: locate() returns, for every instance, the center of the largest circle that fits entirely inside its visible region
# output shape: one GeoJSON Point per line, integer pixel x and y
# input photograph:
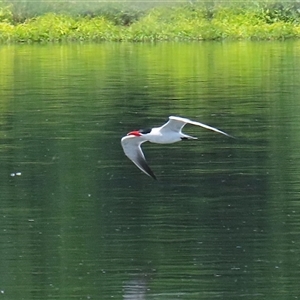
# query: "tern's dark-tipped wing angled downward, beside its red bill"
{"type": "Point", "coordinates": [132, 149]}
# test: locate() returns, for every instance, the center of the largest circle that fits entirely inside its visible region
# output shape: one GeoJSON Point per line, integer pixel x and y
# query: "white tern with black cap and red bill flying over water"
{"type": "Point", "coordinates": [170, 132]}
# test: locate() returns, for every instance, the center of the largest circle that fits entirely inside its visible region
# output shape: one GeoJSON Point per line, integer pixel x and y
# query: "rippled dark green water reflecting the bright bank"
{"type": "Point", "coordinates": [80, 221]}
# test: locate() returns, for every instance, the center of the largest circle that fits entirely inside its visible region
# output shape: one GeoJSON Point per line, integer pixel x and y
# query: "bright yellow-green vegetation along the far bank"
{"type": "Point", "coordinates": [182, 22]}
